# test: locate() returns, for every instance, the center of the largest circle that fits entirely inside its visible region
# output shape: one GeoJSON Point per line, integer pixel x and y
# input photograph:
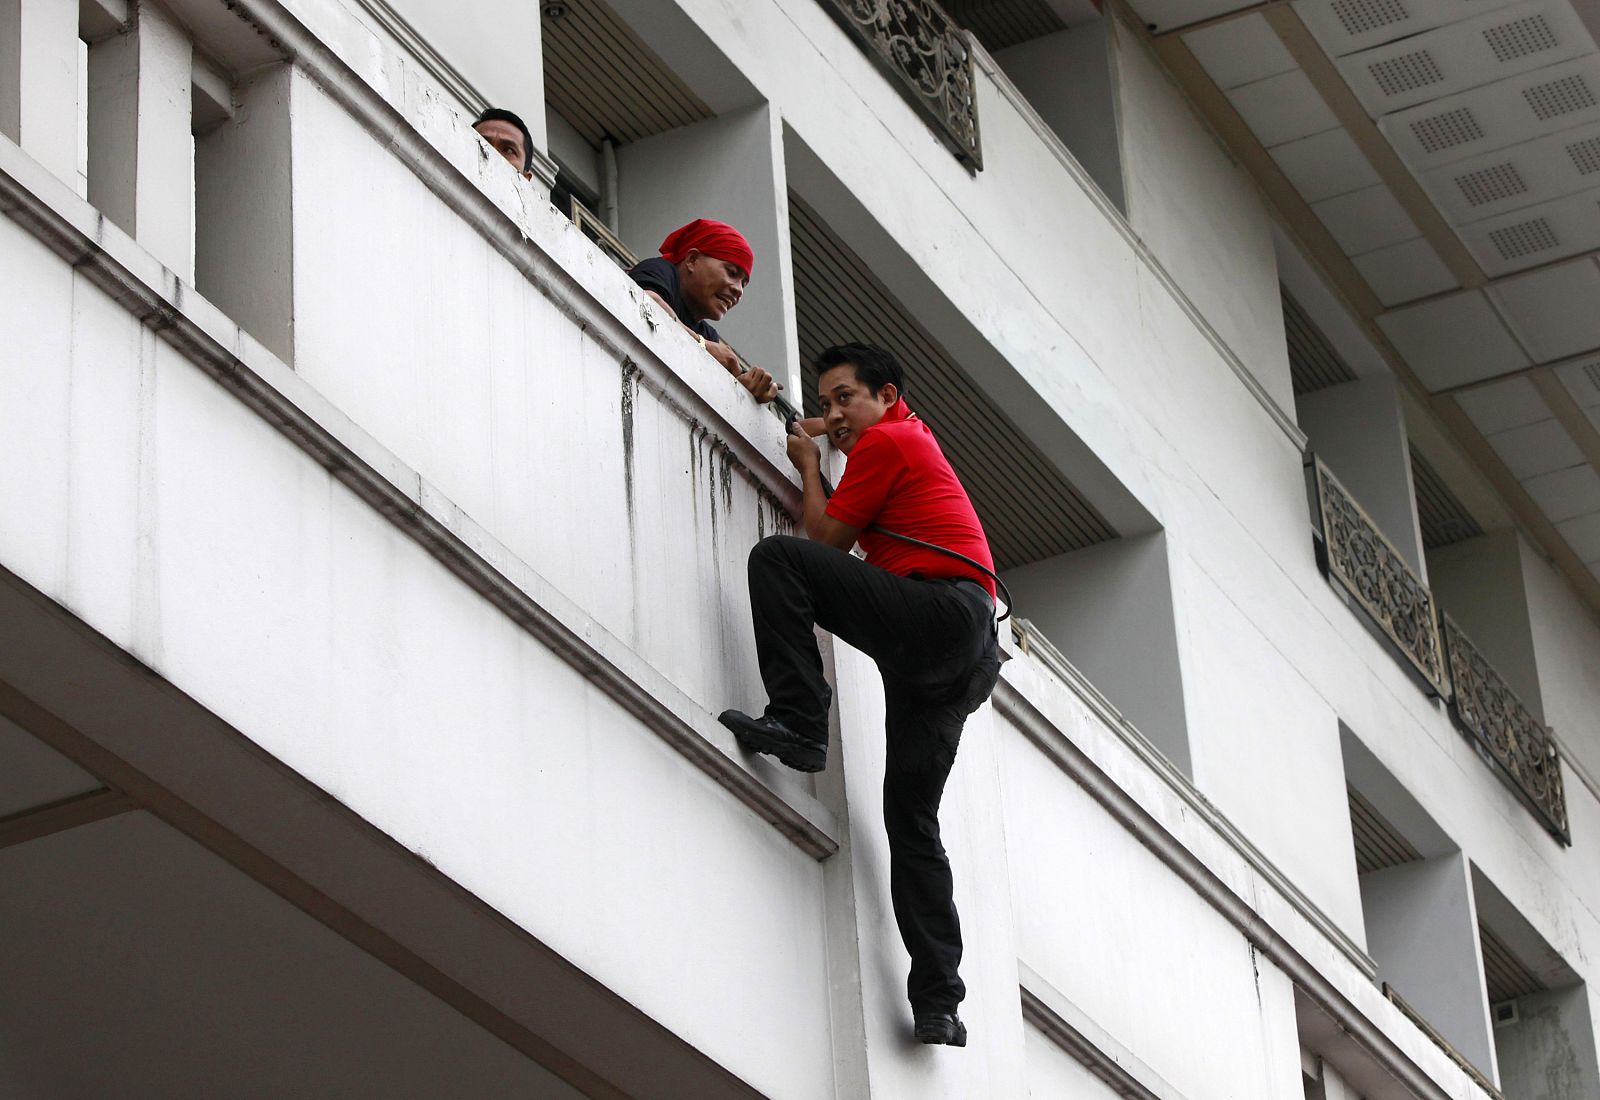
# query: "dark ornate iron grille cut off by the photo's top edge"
{"type": "Point", "coordinates": [929, 57]}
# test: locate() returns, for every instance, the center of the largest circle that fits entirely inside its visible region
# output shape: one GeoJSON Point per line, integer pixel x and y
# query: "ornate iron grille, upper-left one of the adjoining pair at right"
{"type": "Point", "coordinates": [1367, 565]}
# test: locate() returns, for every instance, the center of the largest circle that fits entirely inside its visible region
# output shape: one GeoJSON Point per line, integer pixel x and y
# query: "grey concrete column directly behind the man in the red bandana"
{"type": "Point", "coordinates": [730, 169]}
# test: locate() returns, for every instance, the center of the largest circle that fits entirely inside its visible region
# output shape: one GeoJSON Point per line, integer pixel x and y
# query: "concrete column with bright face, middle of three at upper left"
{"type": "Point", "coordinates": [142, 149]}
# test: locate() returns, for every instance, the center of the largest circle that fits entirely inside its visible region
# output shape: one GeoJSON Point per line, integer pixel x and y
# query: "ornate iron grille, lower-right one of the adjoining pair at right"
{"type": "Point", "coordinates": [1490, 712]}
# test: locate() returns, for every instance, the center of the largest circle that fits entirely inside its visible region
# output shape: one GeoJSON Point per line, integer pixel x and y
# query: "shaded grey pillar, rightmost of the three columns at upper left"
{"type": "Point", "coordinates": [244, 242]}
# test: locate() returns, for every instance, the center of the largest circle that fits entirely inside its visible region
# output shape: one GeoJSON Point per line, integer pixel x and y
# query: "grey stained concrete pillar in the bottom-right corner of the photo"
{"type": "Point", "coordinates": [1550, 1053]}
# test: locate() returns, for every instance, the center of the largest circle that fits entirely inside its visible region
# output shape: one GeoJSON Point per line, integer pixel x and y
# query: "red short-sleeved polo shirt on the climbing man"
{"type": "Point", "coordinates": [900, 480]}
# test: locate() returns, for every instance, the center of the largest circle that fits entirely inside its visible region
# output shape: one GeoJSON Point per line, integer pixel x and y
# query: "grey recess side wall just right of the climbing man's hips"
{"type": "Point", "coordinates": [1110, 612]}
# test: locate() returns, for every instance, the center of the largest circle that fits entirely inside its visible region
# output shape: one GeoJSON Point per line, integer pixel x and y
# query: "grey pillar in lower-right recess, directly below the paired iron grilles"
{"type": "Point", "coordinates": [1423, 933]}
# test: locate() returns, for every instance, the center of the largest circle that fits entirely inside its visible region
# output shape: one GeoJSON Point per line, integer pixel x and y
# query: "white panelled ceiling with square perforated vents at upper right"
{"type": "Point", "coordinates": [1494, 106]}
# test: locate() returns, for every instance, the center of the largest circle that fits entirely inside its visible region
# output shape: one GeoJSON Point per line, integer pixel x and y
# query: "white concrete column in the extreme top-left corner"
{"type": "Point", "coordinates": [39, 81]}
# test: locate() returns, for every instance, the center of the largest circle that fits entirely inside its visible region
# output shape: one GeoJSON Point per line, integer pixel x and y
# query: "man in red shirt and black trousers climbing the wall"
{"type": "Point", "coordinates": [926, 618]}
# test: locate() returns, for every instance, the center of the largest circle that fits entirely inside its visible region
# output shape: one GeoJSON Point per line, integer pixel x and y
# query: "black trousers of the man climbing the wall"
{"type": "Point", "coordinates": [935, 645]}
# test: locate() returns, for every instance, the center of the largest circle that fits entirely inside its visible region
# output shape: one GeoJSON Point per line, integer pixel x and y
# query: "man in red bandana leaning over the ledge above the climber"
{"type": "Point", "coordinates": [700, 276]}
